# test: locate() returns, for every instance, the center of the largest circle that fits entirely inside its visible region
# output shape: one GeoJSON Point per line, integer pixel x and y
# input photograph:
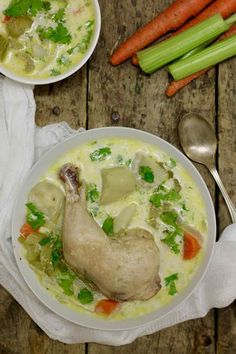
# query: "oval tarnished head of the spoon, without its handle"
{"type": "Point", "coordinates": [197, 138]}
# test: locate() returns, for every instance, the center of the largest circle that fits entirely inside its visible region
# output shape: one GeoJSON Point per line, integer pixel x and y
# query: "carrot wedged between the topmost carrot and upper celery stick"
{"type": "Point", "coordinates": [224, 7]}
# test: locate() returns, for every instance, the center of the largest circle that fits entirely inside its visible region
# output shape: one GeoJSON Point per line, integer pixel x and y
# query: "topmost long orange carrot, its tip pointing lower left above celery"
{"type": "Point", "coordinates": [170, 19]}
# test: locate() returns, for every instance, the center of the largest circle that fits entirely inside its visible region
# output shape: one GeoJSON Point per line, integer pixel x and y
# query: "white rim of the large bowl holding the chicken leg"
{"type": "Point", "coordinates": [46, 162]}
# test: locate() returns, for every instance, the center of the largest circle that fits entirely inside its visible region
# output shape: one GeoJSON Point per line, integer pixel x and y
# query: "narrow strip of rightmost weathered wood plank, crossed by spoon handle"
{"type": "Point", "coordinates": [226, 326]}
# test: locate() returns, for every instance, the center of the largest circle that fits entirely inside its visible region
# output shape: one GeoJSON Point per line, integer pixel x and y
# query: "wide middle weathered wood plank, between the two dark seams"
{"type": "Point", "coordinates": [138, 101]}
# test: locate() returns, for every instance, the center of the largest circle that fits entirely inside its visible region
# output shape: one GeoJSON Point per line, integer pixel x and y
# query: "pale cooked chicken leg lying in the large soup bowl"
{"type": "Point", "coordinates": [121, 268]}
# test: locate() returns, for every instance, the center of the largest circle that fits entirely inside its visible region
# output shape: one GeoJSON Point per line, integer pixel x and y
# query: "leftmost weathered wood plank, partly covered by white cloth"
{"type": "Point", "coordinates": [64, 101]}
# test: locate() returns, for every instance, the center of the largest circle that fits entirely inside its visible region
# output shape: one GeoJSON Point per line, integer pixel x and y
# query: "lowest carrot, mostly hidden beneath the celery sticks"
{"type": "Point", "coordinates": [175, 86]}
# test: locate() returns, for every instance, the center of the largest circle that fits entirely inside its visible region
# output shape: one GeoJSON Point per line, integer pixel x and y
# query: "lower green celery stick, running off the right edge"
{"type": "Point", "coordinates": [210, 56]}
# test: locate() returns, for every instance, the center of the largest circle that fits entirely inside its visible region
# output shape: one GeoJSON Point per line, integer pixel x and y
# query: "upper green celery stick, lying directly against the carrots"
{"type": "Point", "coordinates": [165, 52]}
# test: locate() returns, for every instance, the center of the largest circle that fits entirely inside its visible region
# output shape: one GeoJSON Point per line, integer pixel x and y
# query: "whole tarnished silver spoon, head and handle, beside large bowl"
{"type": "Point", "coordinates": [199, 143]}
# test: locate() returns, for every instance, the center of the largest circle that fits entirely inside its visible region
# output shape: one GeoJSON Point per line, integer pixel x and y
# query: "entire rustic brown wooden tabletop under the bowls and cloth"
{"type": "Point", "coordinates": [100, 95]}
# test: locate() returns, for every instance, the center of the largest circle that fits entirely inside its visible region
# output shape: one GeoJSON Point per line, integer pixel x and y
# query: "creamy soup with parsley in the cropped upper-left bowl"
{"type": "Point", "coordinates": [44, 38]}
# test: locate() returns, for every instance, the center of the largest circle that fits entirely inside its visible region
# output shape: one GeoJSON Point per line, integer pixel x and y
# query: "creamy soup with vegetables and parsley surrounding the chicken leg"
{"type": "Point", "coordinates": [164, 201]}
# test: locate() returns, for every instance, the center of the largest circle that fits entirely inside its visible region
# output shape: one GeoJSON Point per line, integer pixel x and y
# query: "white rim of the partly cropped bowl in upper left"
{"type": "Point", "coordinates": [73, 69]}
